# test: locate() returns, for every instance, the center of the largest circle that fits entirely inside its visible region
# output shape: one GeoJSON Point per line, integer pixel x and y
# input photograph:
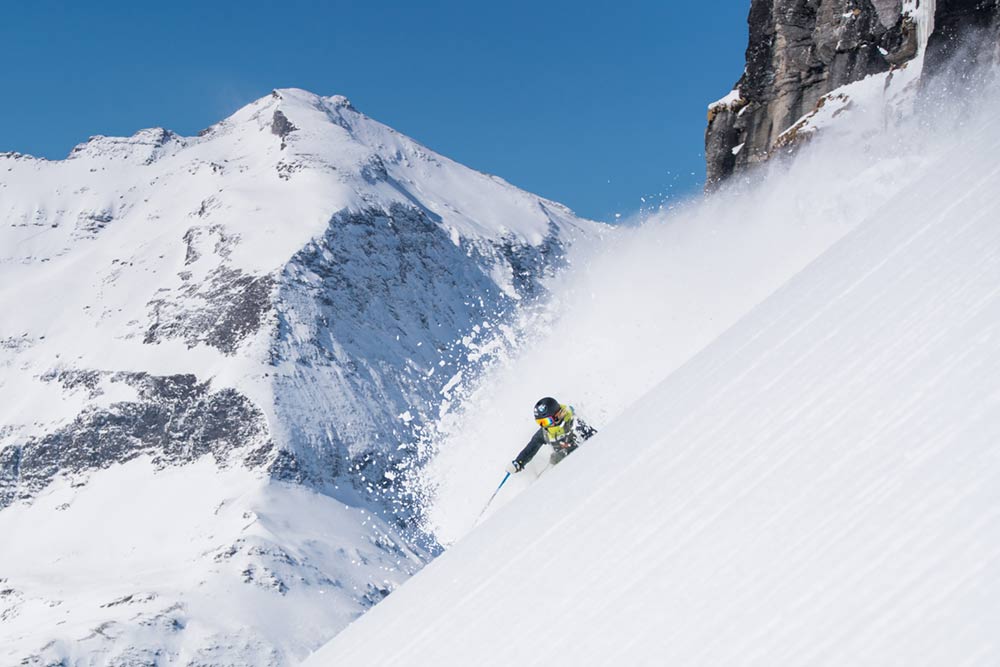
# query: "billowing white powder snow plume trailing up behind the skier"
{"type": "Point", "coordinates": [632, 311]}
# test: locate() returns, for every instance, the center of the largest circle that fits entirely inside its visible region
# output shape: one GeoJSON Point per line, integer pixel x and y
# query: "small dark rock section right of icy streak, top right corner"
{"type": "Point", "coordinates": [966, 34]}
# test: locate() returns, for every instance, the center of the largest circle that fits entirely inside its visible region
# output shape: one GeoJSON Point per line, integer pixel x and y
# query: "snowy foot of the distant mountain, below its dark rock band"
{"type": "Point", "coordinates": [187, 565]}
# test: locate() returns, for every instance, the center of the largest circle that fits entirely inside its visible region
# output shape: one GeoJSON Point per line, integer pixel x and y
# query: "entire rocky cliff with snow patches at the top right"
{"type": "Point", "coordinates": [802, 52]}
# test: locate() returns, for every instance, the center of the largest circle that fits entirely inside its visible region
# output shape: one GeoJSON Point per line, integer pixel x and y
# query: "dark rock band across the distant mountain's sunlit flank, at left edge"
{"type": "Point", "coordinates": [175, 419]}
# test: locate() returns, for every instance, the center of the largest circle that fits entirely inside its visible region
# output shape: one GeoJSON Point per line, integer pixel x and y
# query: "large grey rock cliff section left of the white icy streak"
{"type": "Point", "coordinates": [799, 51]}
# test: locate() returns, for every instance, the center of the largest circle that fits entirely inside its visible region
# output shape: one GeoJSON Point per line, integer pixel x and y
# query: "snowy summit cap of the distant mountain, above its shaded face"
{"type": "Point", "coordinates": [330, 133]}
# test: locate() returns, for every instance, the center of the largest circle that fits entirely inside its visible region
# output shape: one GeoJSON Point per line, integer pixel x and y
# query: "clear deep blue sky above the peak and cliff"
{"type": "Point", "coordinates": [594, 104]}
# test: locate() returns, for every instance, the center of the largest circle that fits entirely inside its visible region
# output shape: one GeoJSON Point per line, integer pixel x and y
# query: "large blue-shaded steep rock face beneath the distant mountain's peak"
{"type": "Point", "coordinates": [371, 312]}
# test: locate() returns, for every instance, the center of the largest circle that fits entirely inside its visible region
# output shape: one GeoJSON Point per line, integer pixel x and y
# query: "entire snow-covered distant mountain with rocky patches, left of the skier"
{"type": "Point", "coordinates": [282, 297]}
